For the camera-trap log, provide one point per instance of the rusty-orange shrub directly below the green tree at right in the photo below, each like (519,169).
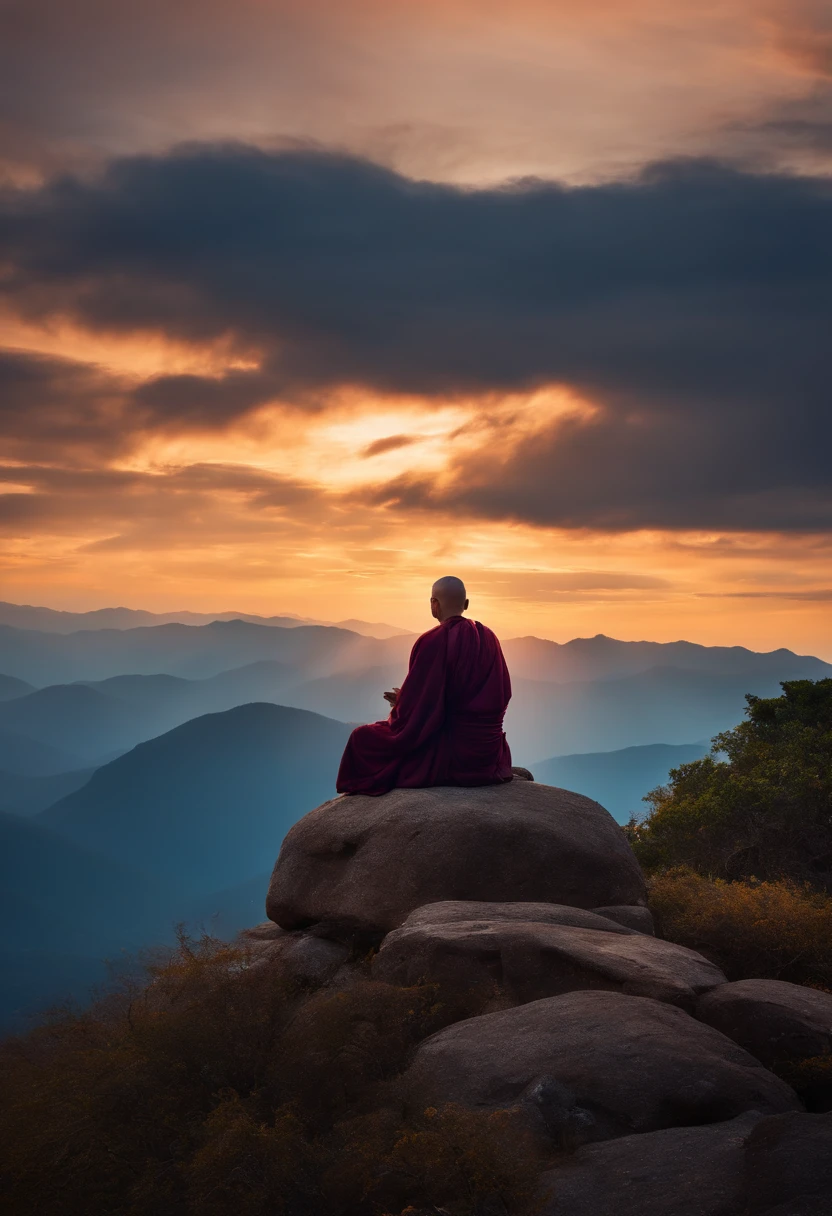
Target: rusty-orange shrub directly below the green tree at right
(752,931)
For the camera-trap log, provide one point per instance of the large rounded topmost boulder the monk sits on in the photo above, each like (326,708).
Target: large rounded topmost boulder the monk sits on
(361,865)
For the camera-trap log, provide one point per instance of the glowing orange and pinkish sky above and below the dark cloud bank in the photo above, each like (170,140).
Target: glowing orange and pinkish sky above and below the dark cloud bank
(308,506)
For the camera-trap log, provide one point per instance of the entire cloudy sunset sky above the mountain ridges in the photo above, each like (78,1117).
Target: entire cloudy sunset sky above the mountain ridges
(303,306)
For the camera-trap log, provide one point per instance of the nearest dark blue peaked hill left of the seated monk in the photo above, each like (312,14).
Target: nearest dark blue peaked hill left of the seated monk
(206,806)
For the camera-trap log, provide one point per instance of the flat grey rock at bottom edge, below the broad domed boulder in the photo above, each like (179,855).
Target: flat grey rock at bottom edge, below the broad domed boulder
(685,1172)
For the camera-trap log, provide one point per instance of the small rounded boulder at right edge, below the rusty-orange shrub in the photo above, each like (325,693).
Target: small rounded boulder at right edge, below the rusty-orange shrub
(772,1020)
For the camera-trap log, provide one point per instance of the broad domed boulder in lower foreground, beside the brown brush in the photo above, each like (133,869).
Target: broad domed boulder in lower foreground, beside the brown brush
(631,1065)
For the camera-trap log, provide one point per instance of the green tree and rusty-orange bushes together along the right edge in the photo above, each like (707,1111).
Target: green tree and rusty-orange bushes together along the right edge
(739,845)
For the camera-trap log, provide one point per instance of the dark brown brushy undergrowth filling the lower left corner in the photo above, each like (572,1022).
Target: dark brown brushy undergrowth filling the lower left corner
(216,1088)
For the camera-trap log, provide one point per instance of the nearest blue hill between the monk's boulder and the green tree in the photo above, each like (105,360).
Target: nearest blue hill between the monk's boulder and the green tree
(619,780)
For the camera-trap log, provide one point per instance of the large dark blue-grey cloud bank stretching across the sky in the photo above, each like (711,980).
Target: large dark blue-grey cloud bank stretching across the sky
(690,305)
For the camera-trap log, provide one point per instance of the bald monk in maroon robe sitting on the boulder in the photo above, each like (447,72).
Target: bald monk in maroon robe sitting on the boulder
(446,723)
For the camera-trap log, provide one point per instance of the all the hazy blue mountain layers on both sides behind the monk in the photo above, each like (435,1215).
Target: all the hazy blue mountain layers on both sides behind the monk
(154,767)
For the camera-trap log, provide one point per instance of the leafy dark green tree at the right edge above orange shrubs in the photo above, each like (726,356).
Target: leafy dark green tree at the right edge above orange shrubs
(761,804)
